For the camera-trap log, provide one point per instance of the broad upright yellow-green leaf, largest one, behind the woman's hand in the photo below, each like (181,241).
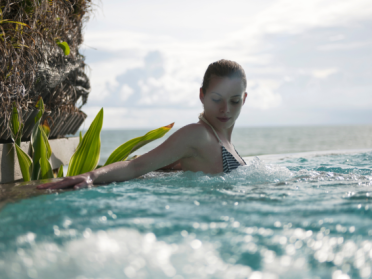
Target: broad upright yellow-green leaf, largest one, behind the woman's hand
(87,153)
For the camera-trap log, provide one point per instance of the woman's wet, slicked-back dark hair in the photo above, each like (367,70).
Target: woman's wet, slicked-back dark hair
(223,68)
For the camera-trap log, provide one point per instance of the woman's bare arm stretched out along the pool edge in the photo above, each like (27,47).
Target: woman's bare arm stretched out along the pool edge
(177,146)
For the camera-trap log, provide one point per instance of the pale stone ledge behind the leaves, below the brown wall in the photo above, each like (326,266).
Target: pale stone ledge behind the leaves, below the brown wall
(62,150)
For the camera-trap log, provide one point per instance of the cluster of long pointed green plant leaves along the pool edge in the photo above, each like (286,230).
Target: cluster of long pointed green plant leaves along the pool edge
(87,154)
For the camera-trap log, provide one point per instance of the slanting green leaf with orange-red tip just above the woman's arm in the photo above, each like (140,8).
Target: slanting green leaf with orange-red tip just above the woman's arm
(123,151)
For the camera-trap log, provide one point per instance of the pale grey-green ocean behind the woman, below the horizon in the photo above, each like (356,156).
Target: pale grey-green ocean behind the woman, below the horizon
(260,141)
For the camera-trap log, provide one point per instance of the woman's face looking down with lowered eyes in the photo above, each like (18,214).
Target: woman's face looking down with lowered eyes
(223,100)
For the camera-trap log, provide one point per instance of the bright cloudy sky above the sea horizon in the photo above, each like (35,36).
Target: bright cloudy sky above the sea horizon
(307,62)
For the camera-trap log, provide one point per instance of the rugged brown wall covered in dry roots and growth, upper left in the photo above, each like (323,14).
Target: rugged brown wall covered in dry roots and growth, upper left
(33,63)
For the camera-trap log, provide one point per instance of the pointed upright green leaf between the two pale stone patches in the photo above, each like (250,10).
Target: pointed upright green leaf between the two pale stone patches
(41,167)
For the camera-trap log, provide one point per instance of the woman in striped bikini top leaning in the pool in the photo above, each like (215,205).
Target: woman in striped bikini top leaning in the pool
(204,146)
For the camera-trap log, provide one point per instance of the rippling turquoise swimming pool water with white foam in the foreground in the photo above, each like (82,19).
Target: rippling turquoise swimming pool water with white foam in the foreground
(297,217)
